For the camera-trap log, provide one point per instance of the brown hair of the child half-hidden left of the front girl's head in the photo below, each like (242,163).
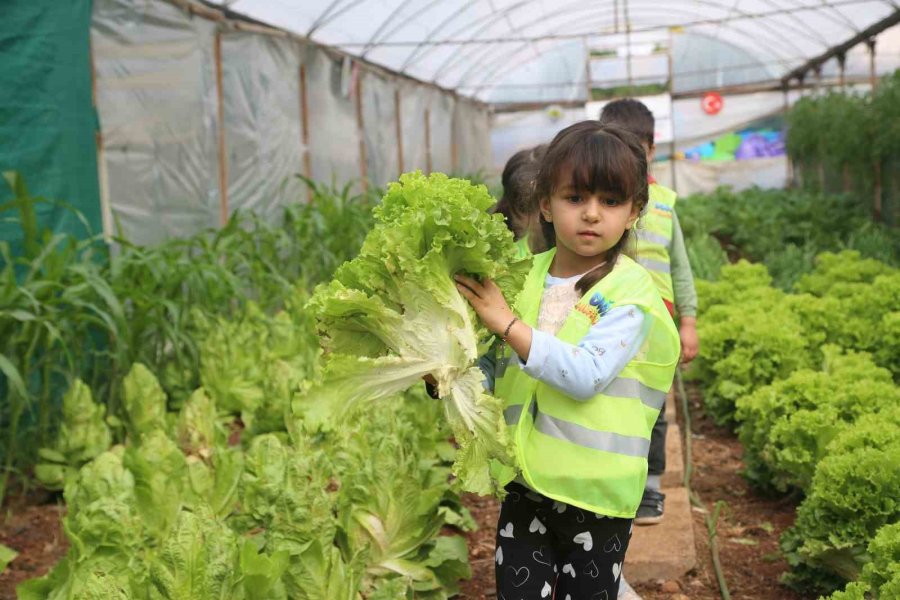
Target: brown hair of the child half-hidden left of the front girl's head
(519,177)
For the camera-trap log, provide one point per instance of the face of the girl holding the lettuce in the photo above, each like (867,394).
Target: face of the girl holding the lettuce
(587,224)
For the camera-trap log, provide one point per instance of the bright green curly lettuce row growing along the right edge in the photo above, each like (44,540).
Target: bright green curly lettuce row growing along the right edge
(808,378)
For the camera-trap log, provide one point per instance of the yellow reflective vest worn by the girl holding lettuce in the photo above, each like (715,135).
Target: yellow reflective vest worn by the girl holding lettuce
(591,454)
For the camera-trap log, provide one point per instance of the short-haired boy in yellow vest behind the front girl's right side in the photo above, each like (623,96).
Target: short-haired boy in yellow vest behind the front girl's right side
(660,249)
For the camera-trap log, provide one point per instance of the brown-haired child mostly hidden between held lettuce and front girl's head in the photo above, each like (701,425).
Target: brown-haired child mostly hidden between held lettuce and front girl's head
(518,205)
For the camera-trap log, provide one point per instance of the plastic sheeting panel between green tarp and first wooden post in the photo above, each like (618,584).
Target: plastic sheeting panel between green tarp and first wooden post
(156,97)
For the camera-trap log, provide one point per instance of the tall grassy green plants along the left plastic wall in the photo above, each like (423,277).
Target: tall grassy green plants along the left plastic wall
(68,311)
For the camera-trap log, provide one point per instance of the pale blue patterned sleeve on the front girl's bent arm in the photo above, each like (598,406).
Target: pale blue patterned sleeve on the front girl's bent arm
(584,370)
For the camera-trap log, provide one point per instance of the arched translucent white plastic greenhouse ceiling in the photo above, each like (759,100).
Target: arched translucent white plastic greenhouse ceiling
(481,47)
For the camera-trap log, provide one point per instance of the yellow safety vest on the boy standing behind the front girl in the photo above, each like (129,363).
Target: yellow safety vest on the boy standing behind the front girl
(654,237)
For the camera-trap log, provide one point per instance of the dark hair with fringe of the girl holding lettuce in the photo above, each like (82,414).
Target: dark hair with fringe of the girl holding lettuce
(594,158)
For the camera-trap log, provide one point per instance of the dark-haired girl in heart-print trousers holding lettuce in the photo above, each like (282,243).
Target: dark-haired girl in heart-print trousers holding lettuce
(594,354)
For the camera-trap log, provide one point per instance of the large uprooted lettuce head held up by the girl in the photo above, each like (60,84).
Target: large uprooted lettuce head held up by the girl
(393,315)
